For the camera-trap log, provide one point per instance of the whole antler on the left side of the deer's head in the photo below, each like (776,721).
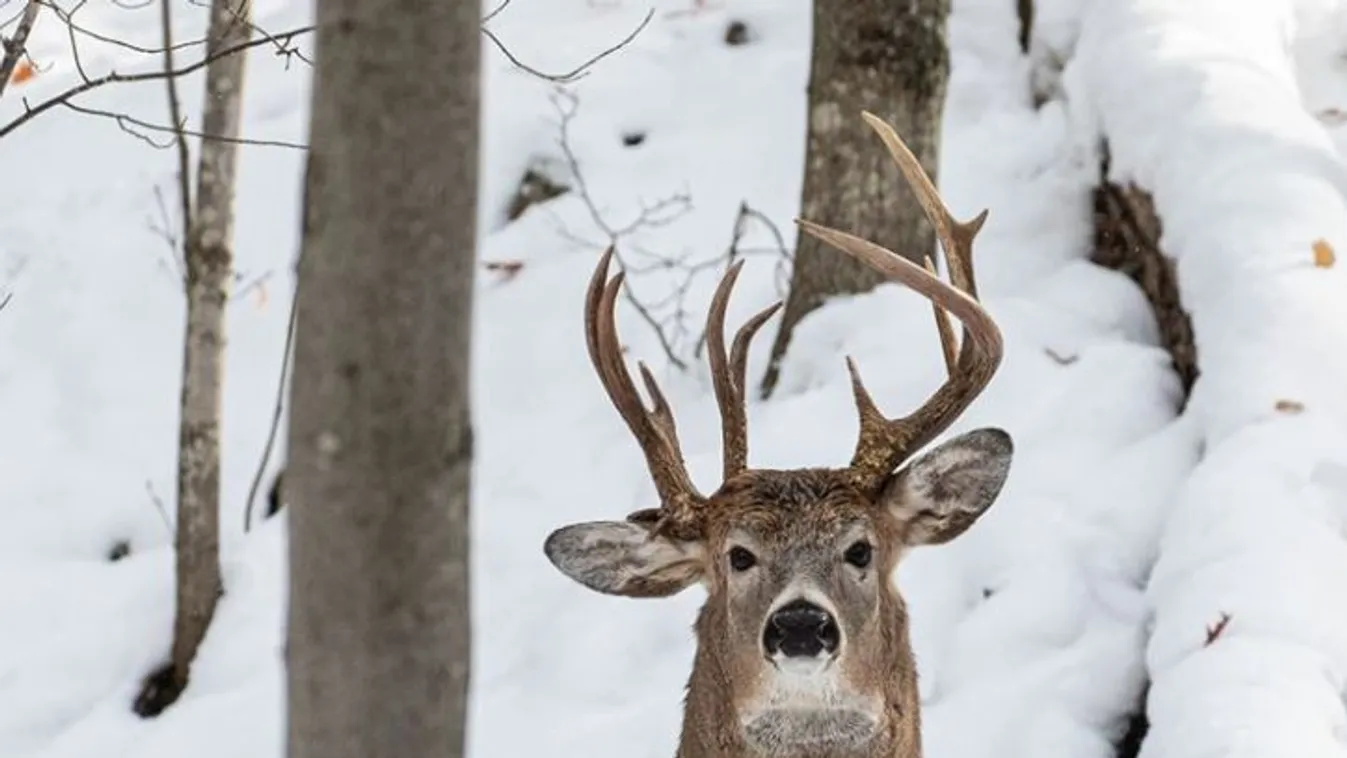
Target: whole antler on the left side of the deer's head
(654,429)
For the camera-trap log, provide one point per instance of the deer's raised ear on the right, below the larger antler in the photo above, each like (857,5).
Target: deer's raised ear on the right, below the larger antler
(937,497)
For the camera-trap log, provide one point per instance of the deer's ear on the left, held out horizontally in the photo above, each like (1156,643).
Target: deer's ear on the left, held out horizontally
(622,558)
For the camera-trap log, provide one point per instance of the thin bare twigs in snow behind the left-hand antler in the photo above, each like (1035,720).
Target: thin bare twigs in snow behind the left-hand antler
(673,328)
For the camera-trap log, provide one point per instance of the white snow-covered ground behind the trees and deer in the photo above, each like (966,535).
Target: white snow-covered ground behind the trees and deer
(1109,555)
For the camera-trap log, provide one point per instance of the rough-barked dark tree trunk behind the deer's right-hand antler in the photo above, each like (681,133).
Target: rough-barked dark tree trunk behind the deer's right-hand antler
(888,57)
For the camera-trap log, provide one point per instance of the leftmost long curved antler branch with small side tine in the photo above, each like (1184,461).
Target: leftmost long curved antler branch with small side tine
(654,430)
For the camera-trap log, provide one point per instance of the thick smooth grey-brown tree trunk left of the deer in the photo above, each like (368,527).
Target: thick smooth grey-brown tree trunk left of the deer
(381,436)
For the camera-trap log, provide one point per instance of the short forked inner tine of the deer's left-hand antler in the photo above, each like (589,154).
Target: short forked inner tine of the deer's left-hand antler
(728,372)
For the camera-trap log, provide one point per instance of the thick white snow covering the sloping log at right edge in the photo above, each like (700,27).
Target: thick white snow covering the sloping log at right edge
(1248,181)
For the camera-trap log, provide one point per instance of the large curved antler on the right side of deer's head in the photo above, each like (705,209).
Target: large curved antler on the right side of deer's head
(884,444)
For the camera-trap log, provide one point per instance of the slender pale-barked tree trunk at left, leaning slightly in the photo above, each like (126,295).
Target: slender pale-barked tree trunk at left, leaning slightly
(209,262)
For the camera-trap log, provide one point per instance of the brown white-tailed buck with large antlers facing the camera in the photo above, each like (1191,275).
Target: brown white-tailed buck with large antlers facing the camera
(802,647)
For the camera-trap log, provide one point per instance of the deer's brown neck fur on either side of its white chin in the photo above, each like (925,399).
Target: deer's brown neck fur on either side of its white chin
(711,722)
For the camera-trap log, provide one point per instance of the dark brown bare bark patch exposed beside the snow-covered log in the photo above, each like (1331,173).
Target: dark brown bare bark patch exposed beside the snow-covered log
(1128,240)
